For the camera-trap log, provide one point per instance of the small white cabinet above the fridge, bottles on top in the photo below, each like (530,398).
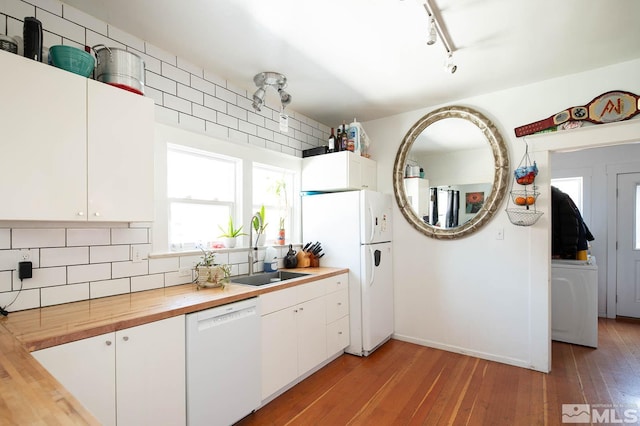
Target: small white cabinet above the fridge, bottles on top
(338,171)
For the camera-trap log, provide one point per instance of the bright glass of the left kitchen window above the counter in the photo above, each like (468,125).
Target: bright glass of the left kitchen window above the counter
(202,192)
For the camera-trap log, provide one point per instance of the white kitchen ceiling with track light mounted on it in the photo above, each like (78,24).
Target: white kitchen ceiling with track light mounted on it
(369,58)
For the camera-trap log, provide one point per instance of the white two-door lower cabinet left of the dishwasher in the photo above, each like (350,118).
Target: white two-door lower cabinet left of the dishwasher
(134,376)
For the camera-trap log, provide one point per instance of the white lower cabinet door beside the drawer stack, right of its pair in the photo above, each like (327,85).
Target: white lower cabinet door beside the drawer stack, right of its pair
(312,334)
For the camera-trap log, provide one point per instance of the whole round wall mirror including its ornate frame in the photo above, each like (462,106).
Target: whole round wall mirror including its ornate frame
(451,172)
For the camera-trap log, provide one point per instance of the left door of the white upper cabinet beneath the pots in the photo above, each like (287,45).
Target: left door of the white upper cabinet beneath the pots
(43,161)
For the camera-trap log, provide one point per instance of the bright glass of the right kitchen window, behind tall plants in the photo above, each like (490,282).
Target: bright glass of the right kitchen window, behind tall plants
(273,187)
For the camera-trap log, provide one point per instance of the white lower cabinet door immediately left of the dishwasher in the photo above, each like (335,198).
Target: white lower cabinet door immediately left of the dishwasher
(150,373)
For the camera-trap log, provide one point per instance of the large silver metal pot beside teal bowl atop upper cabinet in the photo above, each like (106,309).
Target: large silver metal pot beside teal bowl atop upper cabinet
(119,68)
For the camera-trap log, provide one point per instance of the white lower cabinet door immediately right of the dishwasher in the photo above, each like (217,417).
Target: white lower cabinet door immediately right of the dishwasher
(279,350)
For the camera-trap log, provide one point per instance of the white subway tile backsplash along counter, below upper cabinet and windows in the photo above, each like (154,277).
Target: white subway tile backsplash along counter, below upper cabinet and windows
(110,261)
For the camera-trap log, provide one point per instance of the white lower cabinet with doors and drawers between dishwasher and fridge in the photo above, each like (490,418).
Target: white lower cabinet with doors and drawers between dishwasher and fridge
(297,335)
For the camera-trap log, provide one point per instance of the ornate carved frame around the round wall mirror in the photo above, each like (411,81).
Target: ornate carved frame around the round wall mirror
(499,188)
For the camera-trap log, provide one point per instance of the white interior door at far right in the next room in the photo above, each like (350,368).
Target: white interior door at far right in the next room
(628,245)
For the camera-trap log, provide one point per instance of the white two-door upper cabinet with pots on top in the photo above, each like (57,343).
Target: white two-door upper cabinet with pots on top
(73,149)
